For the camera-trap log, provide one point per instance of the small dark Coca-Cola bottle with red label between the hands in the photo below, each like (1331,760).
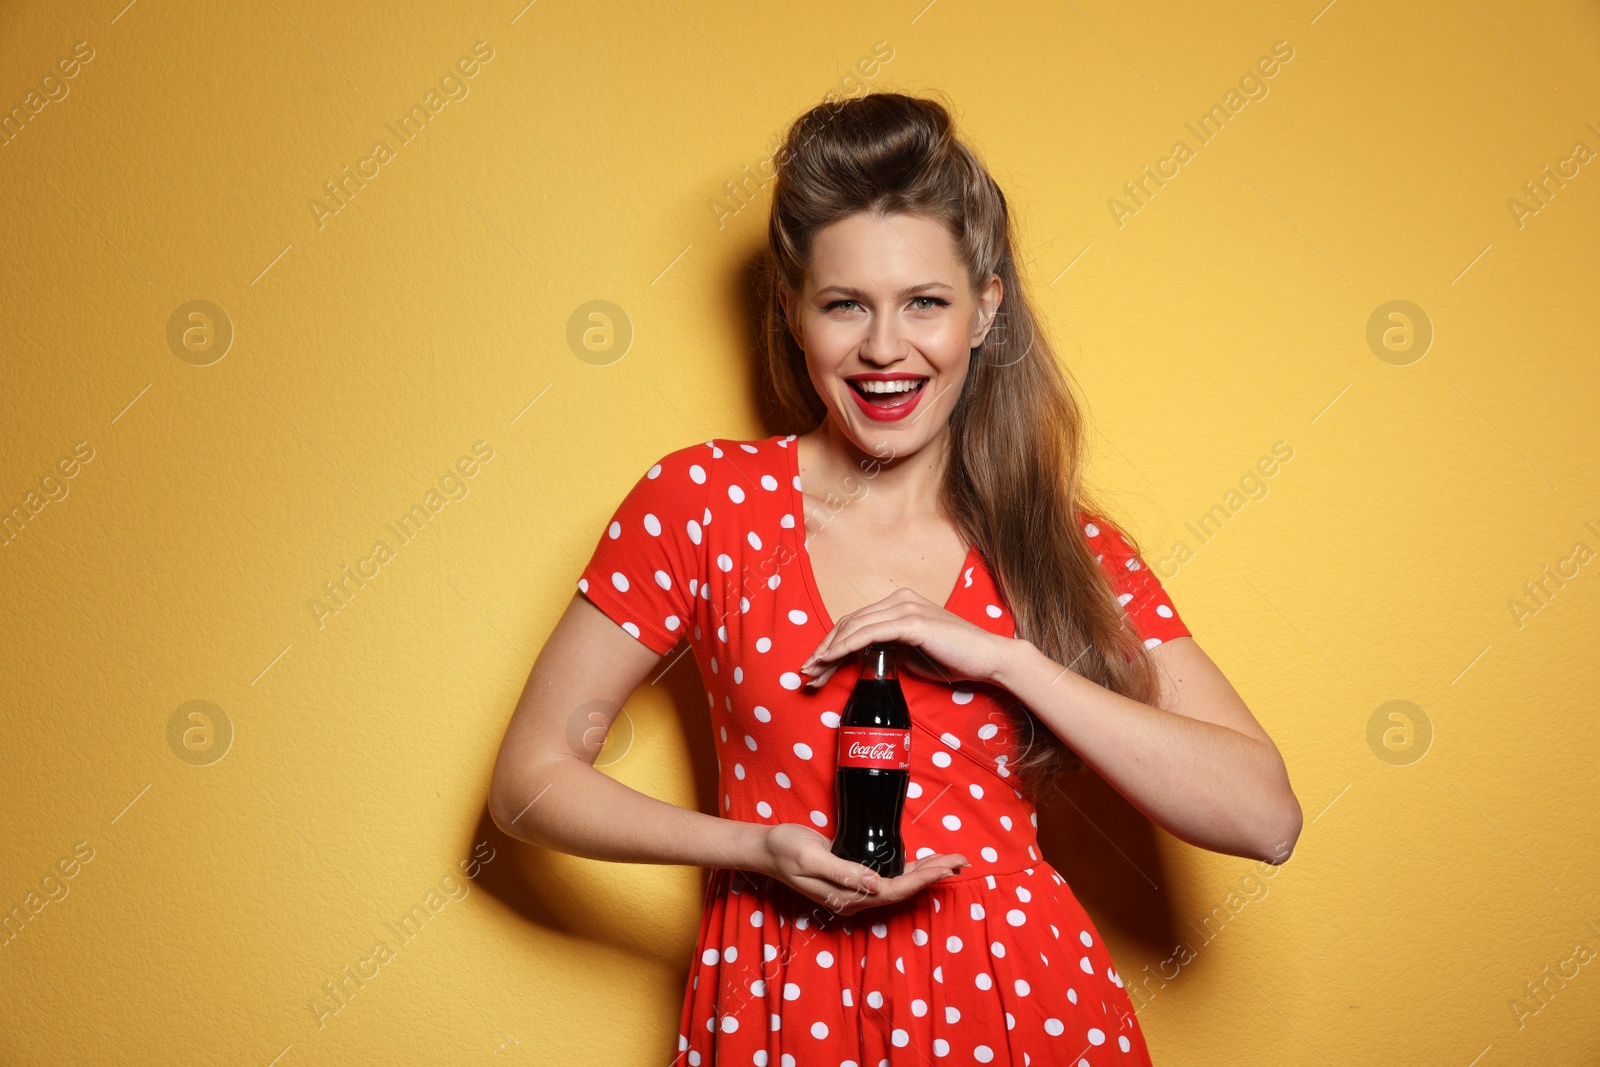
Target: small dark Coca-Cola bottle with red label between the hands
(874,765)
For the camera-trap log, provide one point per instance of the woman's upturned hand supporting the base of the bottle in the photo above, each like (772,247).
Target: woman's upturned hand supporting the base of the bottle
(804,860)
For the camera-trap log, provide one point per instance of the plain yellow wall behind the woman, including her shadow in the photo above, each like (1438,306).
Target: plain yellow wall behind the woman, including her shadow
(585,162)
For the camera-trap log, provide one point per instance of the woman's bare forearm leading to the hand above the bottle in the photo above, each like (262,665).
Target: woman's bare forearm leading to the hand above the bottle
(1206,785)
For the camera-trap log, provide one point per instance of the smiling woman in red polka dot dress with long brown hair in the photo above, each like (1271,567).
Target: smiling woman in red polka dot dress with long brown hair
(937,505)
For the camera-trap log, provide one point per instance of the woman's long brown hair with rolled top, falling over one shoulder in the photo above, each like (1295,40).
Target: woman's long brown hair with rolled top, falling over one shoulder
(1017,434)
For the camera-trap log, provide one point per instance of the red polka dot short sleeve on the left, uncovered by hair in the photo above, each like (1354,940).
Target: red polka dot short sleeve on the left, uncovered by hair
(644,570)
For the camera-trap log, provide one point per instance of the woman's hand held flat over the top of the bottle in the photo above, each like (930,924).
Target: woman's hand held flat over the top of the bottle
(951,649)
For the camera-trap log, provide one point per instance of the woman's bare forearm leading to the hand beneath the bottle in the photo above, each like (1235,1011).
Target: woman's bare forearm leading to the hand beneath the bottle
(566,804)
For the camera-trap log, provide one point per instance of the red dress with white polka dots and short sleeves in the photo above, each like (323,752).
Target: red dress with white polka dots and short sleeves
(996,965)
